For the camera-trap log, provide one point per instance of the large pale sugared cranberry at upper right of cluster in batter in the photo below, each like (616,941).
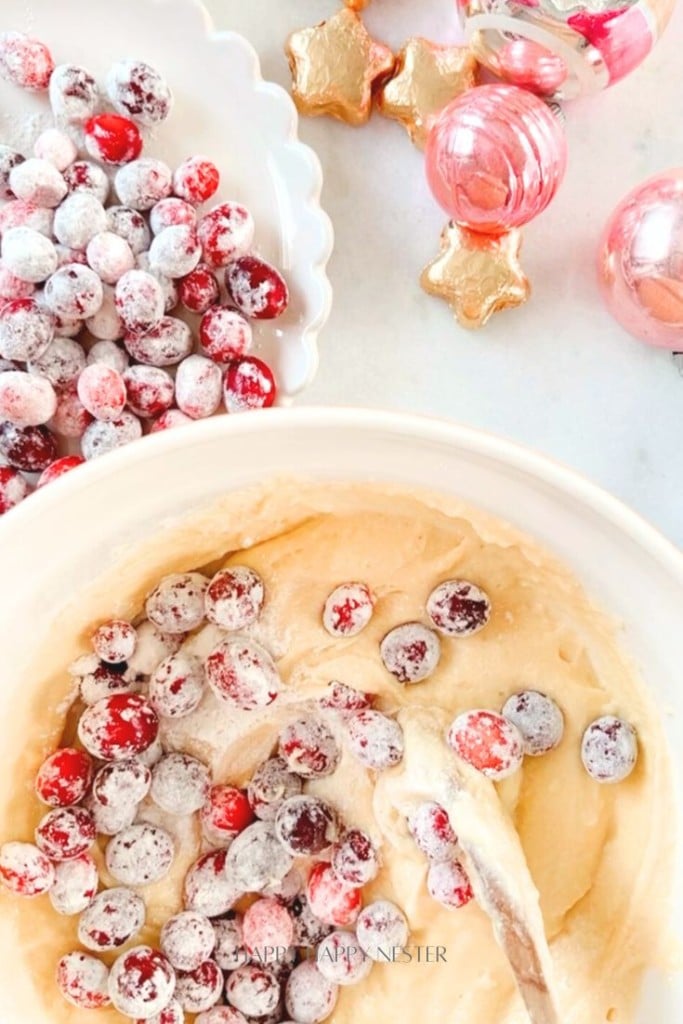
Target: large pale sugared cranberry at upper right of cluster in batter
(243,673)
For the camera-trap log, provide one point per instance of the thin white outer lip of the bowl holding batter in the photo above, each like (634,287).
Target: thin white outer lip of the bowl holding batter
(426,429)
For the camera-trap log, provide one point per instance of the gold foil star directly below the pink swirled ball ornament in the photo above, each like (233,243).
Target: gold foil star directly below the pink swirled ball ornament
(478,275)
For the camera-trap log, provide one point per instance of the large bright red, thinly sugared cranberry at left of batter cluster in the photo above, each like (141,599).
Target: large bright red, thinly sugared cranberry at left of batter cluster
(118,728)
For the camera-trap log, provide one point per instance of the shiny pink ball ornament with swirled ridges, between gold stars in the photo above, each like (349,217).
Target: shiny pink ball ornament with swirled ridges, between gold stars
(495,158)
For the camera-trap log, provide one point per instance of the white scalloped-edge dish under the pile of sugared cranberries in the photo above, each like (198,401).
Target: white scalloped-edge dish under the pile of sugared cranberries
(224,109)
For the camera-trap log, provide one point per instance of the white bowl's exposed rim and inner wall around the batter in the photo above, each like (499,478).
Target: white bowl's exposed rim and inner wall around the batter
(50,545)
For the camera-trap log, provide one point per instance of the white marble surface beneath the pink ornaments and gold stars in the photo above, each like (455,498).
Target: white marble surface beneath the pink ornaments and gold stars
(559,374)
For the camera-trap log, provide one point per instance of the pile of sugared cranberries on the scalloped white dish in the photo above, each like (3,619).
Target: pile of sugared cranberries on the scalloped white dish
(125,309)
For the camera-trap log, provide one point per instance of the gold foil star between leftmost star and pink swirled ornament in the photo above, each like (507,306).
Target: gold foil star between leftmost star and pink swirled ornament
(428,78)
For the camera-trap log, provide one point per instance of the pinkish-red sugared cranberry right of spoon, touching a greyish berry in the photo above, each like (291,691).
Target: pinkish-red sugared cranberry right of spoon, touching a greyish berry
(488,742)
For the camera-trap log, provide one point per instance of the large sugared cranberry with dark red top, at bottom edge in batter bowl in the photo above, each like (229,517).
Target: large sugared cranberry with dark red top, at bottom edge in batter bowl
(142,984)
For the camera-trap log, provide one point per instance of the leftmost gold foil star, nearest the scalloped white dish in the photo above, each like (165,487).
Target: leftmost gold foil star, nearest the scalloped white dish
(335,67)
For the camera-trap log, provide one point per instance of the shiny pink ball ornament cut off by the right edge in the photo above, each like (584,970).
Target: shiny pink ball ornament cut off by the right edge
(641,271)
